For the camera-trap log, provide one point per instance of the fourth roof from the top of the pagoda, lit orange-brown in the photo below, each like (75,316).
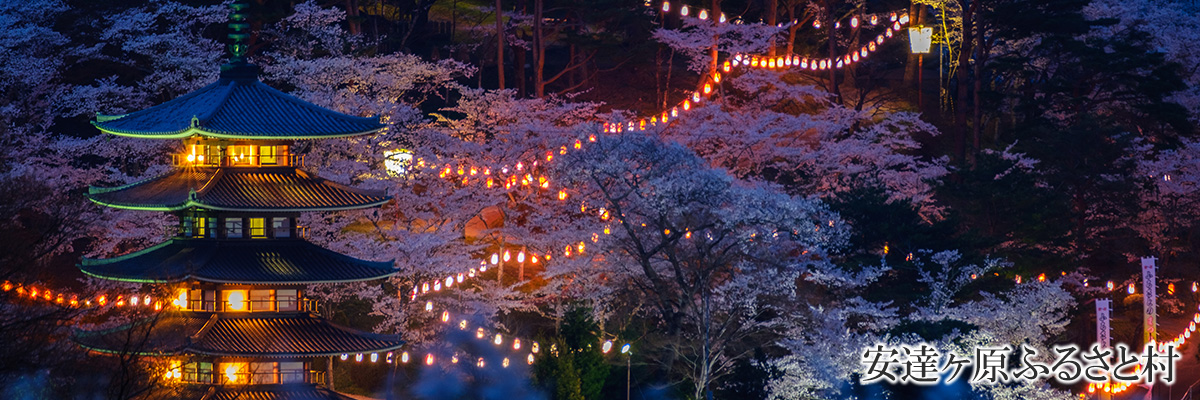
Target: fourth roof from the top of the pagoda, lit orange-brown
(238,335)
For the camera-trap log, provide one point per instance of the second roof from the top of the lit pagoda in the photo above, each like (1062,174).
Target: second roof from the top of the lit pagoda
(237,189)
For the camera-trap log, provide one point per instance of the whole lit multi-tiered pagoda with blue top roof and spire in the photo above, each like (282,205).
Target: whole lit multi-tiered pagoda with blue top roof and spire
(239,324)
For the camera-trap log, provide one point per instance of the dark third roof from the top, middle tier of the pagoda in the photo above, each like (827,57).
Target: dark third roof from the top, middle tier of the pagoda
(237,261)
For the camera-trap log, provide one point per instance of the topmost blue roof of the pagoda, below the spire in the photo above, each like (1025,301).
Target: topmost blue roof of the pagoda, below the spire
(238,106)
